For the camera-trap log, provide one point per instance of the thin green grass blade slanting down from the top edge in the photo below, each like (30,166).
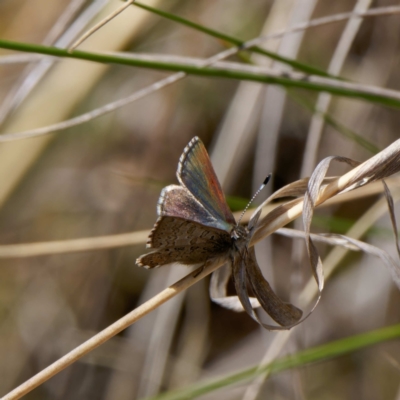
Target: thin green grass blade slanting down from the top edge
(235,41)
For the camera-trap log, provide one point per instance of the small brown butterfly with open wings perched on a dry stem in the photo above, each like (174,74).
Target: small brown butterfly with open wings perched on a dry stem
(192,226)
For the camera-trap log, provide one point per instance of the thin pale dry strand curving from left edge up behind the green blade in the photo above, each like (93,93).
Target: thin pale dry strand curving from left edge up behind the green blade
(180,75)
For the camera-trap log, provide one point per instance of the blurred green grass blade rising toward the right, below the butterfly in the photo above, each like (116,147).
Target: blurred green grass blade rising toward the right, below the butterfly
(302,358)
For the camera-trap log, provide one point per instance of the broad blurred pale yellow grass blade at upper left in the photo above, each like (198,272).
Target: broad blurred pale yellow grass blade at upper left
(17,158)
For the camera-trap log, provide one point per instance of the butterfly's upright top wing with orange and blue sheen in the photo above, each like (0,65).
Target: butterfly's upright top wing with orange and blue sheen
(196,173)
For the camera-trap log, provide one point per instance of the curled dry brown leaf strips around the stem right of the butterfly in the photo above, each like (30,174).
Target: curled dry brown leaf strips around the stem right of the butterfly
(310,192)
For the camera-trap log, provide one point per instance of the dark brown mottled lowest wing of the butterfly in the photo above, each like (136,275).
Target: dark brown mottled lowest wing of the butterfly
(187,242)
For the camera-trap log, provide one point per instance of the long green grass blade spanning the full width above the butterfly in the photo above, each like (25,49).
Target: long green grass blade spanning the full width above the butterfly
(392,99)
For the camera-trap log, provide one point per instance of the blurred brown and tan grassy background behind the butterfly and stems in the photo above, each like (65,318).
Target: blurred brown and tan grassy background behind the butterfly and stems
(104,177)
